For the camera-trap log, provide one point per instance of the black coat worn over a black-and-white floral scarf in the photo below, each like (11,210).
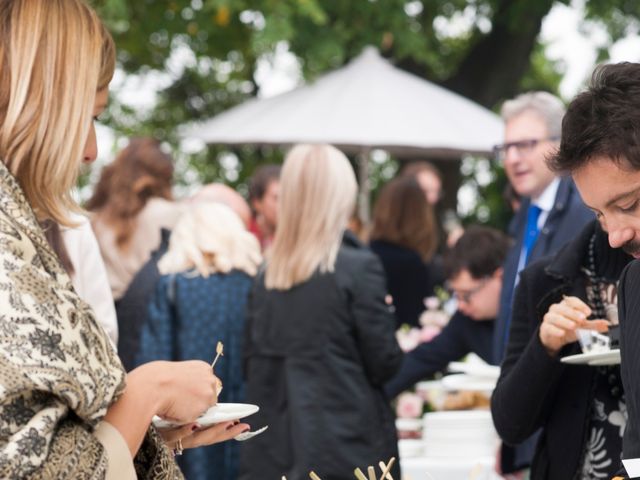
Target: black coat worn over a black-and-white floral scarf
(537,391)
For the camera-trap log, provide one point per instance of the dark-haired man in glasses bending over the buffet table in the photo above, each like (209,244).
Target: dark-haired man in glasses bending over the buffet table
(474,272)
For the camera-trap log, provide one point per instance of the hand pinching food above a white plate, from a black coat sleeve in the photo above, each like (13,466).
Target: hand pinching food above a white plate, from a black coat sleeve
(559,324)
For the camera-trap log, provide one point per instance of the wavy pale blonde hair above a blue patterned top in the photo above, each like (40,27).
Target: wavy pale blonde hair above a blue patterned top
(211,238)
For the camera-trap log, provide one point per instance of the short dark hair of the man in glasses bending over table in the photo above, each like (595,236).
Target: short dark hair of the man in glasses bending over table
(480,251)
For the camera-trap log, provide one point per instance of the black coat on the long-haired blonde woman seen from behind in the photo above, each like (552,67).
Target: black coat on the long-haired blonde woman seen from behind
(317,356)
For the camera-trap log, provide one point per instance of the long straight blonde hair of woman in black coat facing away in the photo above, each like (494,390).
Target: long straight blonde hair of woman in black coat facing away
(317,195)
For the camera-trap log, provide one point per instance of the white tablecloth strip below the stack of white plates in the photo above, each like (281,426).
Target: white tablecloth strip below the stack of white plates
(420,468)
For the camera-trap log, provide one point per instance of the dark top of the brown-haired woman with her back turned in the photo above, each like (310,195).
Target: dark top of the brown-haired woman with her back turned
(410,280)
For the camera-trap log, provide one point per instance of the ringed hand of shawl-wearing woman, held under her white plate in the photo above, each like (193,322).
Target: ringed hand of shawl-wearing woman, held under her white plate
(192,436)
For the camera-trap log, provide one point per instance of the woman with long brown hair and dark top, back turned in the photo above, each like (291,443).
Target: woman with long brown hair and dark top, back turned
(405,238)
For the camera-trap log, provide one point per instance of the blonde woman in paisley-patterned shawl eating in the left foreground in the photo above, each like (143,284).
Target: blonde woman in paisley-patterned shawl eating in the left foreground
(67,408)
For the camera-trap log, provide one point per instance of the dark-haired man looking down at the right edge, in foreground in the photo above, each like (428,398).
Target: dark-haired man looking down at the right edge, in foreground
(600,148)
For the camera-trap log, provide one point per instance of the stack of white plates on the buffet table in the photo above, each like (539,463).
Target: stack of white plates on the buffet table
(459,434)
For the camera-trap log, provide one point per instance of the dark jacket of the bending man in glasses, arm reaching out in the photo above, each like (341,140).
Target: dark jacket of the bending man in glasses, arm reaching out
(461,336)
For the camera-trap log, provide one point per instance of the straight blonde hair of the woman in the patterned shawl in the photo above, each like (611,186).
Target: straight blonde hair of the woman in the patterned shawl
(55,55)
